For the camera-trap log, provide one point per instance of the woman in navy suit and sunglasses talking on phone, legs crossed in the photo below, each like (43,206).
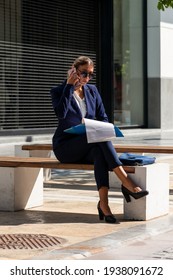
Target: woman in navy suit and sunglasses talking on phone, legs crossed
(73,100)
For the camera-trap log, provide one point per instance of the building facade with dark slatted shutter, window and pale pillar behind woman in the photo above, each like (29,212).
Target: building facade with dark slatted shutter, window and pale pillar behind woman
(130,42)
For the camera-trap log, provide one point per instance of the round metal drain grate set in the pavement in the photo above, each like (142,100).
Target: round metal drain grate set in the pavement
(28,241)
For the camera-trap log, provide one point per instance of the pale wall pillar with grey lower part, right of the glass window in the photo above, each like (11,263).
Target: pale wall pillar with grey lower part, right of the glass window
(160,61)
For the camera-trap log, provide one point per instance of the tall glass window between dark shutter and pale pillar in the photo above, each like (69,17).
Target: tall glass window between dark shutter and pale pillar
(128,63)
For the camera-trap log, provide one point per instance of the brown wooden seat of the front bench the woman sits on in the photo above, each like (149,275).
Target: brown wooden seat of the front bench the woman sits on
(48,163)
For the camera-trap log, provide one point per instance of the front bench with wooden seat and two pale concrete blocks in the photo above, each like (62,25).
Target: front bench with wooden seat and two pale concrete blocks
(21,185)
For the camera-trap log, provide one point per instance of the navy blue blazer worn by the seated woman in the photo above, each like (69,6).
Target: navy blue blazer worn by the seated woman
(68,112)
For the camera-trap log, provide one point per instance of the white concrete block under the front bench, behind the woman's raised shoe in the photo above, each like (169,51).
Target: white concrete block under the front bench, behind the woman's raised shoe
(154,178)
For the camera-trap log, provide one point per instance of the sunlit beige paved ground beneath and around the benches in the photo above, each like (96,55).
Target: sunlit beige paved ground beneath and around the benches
(69,213)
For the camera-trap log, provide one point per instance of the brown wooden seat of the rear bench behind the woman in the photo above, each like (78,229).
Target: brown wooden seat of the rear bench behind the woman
(119,148)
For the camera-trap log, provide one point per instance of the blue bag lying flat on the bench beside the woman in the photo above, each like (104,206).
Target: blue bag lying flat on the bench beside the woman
(134,159)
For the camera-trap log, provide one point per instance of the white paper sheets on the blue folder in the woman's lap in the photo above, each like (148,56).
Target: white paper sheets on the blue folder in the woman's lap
(98,131)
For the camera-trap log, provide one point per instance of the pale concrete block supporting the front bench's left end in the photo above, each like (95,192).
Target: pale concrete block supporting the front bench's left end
(20,188)
